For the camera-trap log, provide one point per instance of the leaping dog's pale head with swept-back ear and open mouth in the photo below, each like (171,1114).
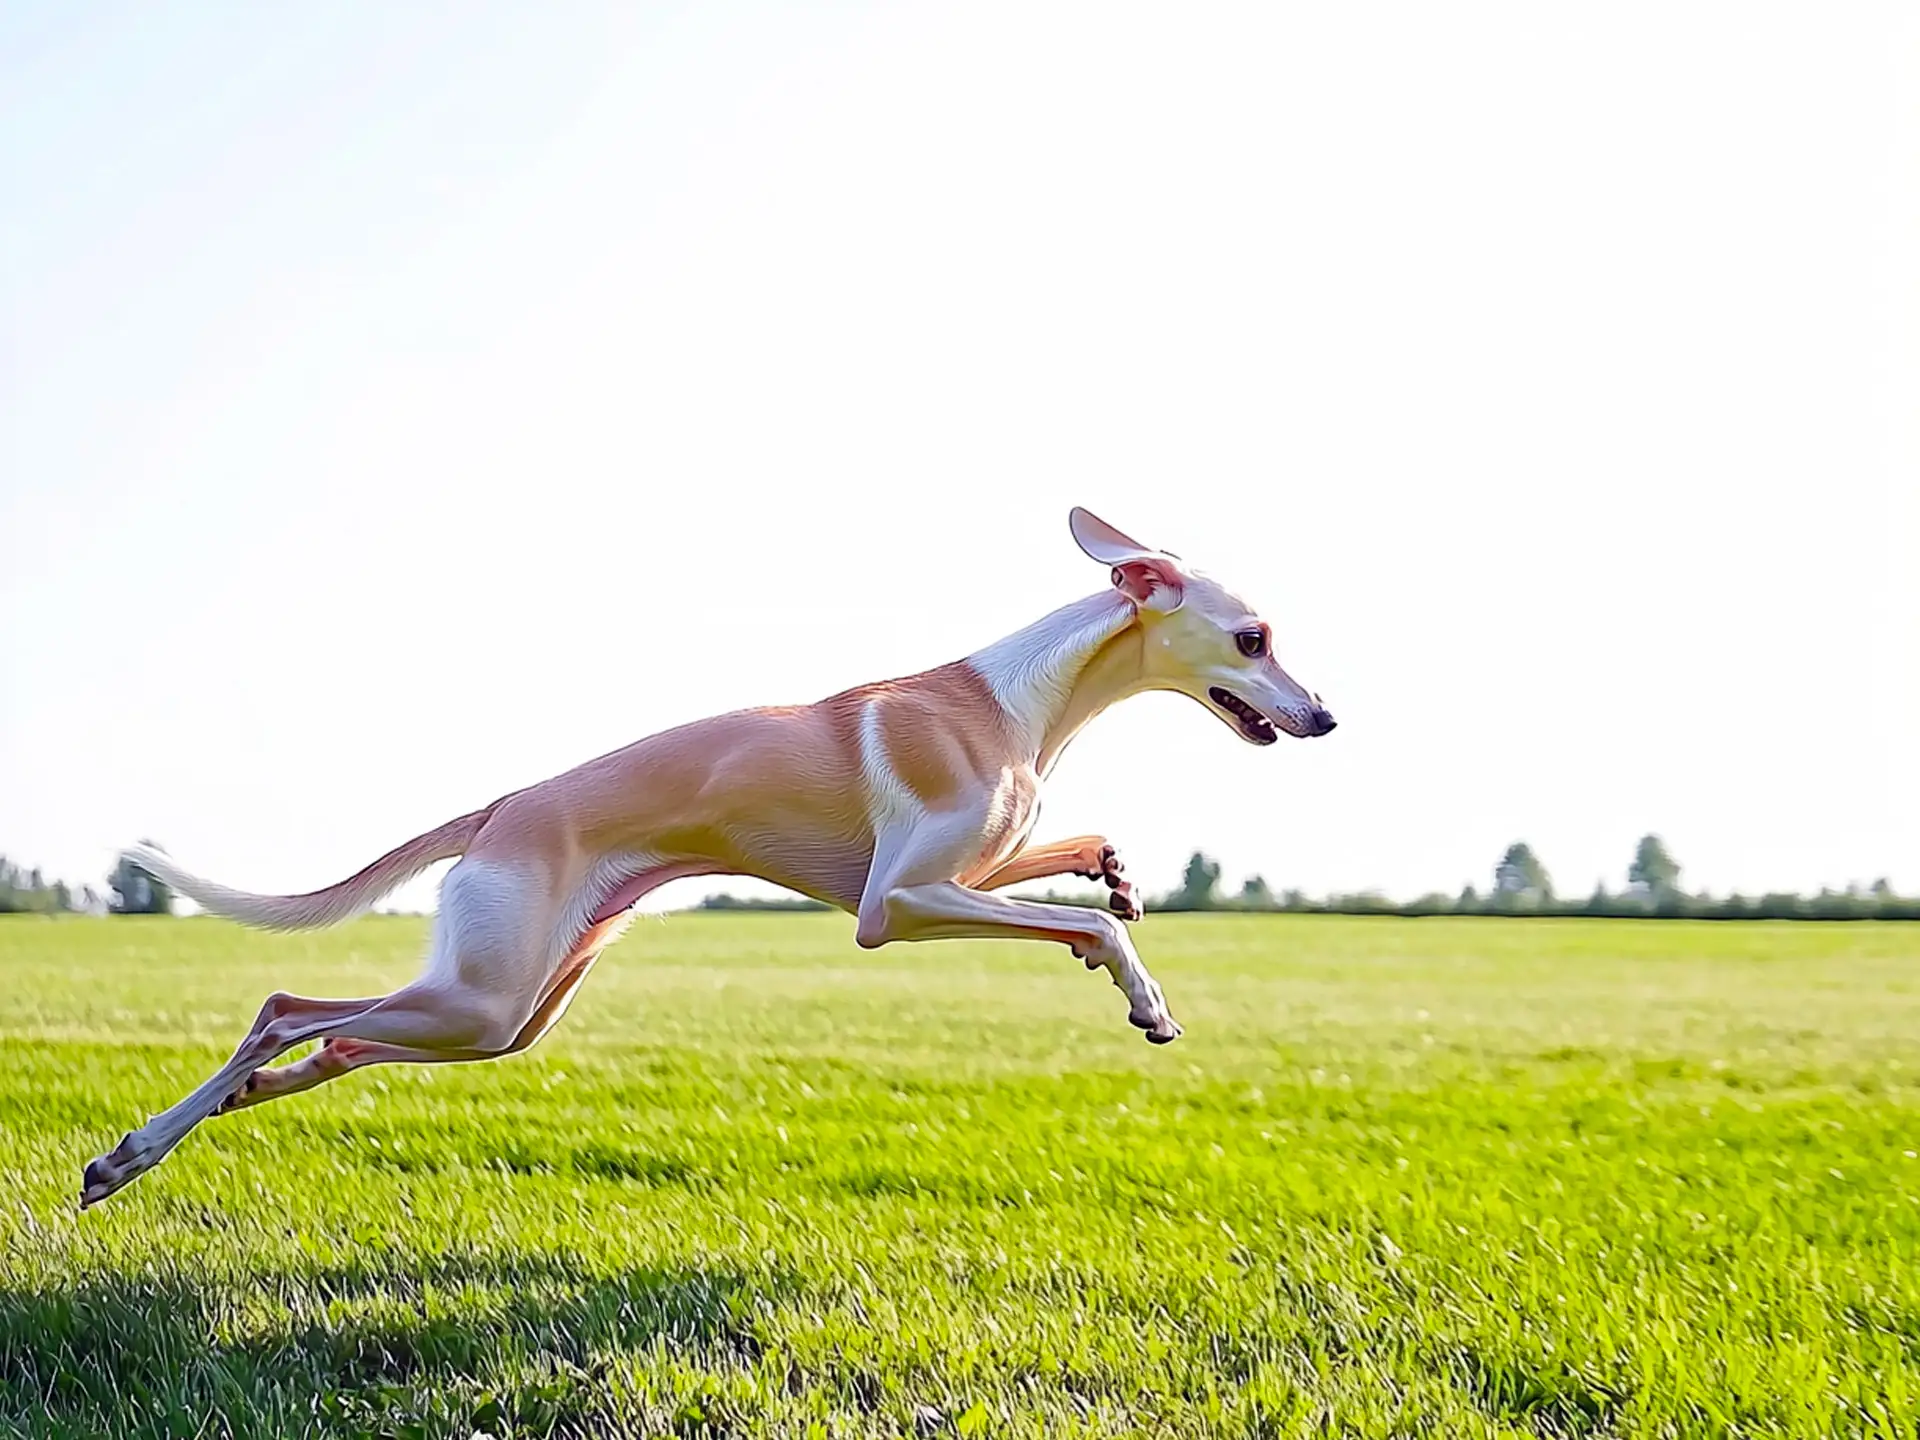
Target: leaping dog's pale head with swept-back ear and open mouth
(1203,640)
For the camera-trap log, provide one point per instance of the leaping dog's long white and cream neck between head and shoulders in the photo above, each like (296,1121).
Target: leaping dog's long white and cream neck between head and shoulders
(1065,669)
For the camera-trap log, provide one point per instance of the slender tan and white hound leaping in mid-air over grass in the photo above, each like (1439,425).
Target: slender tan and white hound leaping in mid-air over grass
(905,804)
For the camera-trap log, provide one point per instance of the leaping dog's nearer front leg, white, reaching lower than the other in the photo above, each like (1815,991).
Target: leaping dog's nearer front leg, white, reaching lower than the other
(951,911)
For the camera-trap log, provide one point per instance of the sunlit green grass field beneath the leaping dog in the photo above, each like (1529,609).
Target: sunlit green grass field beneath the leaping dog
(1401,1178)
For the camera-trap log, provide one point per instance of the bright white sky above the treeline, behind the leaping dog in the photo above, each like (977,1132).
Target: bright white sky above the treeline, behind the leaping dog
(402,404)
